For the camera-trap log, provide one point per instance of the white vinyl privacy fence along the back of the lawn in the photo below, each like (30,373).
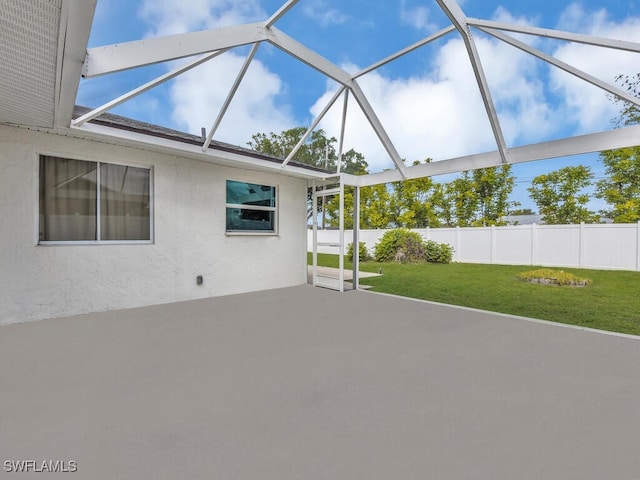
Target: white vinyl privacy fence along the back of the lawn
(597,246)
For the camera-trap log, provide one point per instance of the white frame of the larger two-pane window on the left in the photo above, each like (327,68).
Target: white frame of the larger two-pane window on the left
(151,239)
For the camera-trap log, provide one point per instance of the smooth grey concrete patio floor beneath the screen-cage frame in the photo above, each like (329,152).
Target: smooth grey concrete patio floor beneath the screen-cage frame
(306,383)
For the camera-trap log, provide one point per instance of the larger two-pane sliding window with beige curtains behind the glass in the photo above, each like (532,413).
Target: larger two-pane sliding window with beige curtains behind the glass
(84,201)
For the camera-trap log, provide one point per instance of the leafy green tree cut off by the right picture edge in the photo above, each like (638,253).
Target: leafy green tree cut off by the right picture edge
(621,188)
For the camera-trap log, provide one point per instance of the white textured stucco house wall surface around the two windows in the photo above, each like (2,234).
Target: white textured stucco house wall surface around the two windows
(188,234)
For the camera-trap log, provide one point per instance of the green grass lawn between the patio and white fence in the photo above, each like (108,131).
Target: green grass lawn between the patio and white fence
(611,302)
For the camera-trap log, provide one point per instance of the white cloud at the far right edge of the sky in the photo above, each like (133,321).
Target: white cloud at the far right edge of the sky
(589,106)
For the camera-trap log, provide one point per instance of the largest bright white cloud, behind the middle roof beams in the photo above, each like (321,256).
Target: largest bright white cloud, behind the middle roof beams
(441,115)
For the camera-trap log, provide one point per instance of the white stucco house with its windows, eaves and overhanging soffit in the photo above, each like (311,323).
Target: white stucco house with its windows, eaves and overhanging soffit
(119,213)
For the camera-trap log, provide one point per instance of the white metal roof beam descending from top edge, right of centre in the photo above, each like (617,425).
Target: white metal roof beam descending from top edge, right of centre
(457,17)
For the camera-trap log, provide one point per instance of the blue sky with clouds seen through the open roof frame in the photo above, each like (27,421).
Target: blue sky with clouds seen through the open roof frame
(427,101)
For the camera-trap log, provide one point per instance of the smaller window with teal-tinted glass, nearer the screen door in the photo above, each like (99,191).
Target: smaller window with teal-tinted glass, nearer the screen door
(251,207)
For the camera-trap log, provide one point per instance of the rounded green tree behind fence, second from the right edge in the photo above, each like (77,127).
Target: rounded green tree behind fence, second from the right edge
(560,195)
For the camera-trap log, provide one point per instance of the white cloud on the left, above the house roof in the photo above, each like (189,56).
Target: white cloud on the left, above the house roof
(197,96)
